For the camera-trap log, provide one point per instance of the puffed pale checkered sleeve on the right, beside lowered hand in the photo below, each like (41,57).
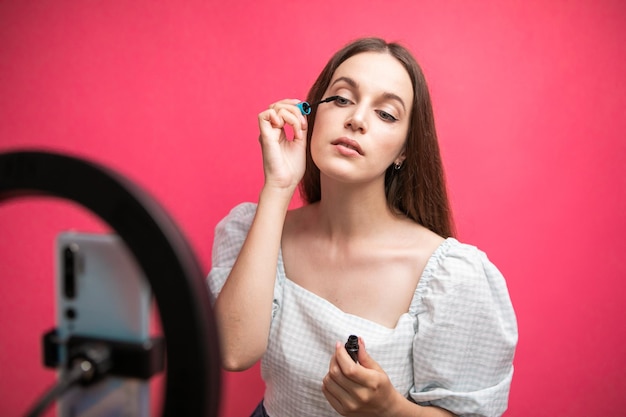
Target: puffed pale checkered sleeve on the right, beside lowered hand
(467,333)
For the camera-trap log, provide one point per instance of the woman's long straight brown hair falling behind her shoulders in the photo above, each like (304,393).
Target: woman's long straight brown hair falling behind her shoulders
(418,189)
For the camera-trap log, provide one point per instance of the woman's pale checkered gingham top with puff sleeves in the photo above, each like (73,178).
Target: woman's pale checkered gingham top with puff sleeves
(454,347)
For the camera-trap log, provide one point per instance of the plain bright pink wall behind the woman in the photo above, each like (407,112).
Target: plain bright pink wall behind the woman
(530,102)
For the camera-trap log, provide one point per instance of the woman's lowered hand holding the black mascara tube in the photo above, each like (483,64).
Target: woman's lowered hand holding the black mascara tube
(358,389)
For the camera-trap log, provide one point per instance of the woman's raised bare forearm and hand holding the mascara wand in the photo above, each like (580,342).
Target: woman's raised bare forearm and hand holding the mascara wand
(244,306)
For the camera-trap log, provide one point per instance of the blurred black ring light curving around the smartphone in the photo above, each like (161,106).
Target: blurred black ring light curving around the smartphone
(193,365)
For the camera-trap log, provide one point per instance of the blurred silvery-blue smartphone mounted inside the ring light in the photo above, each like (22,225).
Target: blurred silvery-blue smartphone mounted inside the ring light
(102,293)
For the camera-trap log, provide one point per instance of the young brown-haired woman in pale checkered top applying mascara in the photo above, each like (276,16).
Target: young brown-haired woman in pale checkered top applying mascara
(371,253)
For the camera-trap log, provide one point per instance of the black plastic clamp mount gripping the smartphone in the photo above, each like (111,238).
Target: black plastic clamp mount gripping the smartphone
(129,360)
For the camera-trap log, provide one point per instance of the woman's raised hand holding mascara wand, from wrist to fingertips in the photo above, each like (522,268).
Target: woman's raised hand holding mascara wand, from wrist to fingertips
(284,159)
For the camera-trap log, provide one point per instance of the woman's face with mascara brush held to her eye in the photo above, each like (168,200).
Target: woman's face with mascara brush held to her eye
(359,135)
